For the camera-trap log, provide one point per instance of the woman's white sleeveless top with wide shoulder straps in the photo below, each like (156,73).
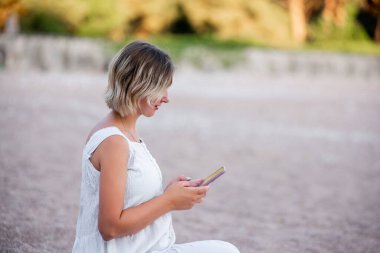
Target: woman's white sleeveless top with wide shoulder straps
(144,182)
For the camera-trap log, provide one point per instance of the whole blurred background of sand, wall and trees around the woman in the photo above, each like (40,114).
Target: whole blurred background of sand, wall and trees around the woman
(284,93)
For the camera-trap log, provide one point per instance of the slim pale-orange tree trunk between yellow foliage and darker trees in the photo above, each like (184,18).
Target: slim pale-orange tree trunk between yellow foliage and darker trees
(298,20)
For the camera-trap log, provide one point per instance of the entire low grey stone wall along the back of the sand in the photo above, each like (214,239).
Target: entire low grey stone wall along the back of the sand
(49,53)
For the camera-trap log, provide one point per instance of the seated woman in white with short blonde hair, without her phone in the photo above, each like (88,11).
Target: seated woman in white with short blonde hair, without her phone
(123,207)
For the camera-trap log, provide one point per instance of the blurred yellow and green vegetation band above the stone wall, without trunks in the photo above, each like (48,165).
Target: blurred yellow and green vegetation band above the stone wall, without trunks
(222,27)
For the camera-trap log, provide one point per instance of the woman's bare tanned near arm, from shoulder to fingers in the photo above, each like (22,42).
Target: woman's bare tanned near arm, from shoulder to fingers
(113,221)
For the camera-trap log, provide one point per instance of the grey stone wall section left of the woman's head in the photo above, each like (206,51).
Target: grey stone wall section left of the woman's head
(49,53)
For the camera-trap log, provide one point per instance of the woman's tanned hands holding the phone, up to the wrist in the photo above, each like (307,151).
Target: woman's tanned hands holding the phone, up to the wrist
(183,194)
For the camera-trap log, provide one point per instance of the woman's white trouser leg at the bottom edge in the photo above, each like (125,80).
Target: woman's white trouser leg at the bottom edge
(209,246)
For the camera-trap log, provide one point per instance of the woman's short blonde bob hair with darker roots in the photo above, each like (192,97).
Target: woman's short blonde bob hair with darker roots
(138,71)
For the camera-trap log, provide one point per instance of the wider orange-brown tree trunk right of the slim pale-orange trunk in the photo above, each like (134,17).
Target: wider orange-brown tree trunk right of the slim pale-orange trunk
(335,11)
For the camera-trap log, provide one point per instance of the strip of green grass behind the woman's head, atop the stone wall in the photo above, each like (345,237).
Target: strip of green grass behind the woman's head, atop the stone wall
(206,52)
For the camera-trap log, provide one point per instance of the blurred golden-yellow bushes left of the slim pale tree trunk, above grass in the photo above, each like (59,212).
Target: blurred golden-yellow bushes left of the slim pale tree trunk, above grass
(116,19)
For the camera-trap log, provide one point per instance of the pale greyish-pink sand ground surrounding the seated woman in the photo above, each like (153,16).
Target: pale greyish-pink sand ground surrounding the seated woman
(302,153)
